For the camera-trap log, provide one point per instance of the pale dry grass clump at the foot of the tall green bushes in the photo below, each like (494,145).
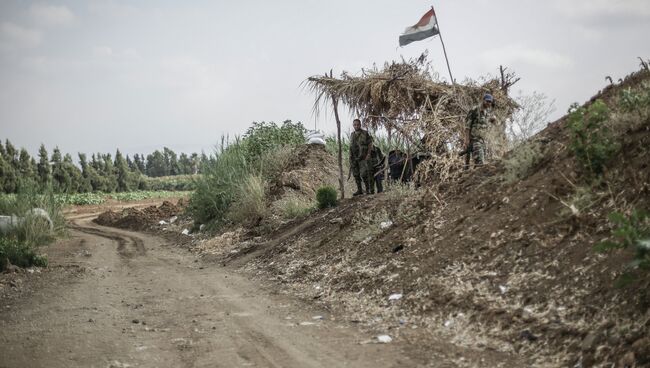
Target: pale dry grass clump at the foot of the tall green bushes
(249,206)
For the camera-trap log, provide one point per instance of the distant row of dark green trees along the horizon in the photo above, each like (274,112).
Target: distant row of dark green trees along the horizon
(98,173)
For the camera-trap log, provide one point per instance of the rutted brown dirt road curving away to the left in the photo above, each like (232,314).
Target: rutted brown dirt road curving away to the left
(143,303)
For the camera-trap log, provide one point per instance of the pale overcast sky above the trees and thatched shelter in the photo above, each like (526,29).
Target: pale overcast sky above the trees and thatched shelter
(96,75)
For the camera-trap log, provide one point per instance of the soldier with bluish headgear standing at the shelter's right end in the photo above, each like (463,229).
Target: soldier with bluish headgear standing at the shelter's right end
(478,120)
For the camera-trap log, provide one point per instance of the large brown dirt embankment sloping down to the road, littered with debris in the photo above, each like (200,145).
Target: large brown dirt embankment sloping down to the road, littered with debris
(490,264)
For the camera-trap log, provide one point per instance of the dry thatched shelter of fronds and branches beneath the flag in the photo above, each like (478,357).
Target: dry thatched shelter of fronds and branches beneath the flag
(404,98)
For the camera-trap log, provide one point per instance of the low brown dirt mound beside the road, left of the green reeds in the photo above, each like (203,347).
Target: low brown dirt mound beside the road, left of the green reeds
(140,219)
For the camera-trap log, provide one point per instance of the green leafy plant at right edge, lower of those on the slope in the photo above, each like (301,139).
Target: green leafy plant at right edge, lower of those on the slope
(630,231)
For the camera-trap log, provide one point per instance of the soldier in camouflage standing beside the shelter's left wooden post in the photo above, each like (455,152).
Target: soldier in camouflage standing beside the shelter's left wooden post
(361,162)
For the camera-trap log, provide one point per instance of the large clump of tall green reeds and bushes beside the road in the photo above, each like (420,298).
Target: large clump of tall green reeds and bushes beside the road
(233,184)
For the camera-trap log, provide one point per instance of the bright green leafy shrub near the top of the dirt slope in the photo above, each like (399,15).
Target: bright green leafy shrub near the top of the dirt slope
(591,139)
